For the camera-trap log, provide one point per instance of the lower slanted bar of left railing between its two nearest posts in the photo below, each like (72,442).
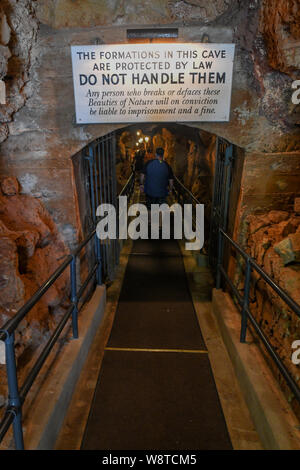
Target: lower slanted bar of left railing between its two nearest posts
(44,354)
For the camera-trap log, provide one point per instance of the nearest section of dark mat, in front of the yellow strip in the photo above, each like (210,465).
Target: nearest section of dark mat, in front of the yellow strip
(159,401)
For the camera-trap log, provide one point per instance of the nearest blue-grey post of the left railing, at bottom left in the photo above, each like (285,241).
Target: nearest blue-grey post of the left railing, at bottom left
(13,391)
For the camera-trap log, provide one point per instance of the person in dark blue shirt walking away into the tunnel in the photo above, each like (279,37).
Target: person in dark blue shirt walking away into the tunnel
(156,179)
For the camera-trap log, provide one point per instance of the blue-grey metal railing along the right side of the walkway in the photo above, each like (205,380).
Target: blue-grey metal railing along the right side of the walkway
(184,195)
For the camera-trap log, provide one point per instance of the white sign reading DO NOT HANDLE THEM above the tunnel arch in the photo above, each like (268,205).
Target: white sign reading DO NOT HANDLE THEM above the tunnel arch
(152,82)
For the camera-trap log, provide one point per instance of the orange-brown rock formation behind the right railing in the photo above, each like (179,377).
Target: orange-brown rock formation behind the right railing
(273,240)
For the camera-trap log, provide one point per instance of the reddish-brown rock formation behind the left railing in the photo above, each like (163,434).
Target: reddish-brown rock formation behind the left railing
(30,251)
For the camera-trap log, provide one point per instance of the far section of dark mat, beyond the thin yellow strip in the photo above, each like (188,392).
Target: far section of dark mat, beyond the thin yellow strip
(155,308)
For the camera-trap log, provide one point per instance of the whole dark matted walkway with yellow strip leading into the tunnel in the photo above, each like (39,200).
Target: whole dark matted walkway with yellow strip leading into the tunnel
(155,388)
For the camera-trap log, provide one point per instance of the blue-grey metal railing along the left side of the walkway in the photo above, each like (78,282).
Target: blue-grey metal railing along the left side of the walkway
(16,394)
